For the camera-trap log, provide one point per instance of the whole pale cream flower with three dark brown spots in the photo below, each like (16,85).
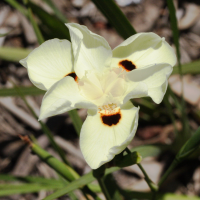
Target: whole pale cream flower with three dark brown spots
(86,73)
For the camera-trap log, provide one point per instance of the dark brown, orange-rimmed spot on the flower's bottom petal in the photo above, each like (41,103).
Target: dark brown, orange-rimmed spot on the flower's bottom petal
(111,119)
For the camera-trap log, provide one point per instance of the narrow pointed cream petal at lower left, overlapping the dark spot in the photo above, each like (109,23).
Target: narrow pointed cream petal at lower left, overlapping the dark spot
(61,97)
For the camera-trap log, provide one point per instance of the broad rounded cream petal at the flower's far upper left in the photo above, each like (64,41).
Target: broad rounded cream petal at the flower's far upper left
(49,63)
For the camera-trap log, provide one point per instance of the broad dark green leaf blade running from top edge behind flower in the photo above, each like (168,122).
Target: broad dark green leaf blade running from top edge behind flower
(116,17)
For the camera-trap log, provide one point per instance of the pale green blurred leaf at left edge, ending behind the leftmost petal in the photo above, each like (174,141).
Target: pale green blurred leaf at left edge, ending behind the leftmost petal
(13,54)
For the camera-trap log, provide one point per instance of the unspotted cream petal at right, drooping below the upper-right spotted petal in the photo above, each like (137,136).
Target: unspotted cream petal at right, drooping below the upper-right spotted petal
(155,77)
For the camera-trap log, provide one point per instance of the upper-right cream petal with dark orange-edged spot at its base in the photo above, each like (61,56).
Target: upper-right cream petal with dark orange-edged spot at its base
(141,50)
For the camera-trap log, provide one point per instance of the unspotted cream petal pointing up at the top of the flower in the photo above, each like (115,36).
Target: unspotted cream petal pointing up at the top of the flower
(91,51)
